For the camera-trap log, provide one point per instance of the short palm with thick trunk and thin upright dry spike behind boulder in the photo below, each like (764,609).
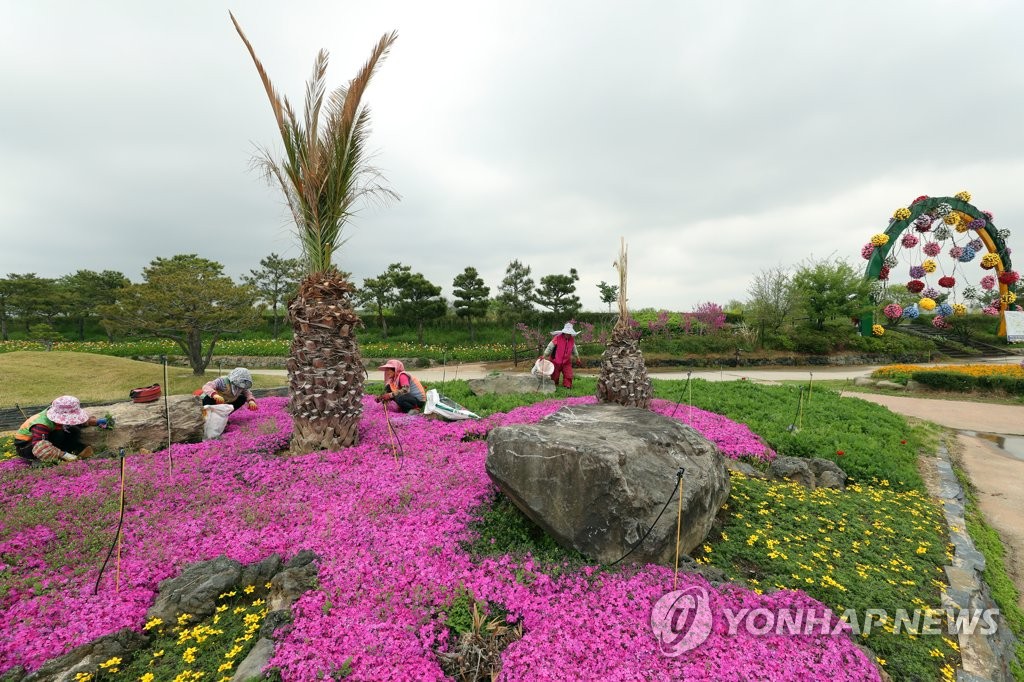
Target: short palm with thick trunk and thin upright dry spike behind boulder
(624,376)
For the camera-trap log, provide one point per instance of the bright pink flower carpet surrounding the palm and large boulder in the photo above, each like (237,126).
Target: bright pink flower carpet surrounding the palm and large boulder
(391,535)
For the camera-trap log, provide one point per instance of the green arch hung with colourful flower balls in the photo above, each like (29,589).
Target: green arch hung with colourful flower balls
(935,224)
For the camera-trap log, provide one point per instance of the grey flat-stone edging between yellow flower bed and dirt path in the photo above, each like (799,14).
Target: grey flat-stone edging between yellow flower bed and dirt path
(984,657)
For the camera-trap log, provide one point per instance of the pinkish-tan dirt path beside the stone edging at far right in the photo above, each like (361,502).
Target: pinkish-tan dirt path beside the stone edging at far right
(998,478)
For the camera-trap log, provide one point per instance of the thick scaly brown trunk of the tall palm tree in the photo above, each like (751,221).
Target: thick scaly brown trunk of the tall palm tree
(325,370)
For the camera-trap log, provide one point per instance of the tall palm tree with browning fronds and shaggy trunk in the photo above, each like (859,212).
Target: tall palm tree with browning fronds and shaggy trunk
(324,174)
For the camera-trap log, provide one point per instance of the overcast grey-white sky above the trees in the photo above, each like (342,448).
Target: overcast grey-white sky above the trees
(719,139)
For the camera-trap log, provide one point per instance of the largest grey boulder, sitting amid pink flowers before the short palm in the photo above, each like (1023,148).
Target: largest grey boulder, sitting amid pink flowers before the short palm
(596,478)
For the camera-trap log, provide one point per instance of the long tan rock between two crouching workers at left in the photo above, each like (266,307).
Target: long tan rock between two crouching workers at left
(141,427)
